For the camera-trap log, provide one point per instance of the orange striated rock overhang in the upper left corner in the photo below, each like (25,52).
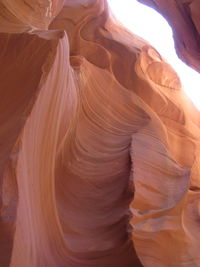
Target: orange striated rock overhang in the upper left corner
(27,15)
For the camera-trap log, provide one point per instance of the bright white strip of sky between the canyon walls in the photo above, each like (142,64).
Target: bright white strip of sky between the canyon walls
(151,26)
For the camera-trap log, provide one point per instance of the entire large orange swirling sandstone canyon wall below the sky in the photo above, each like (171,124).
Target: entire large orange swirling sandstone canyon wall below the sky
(100,152)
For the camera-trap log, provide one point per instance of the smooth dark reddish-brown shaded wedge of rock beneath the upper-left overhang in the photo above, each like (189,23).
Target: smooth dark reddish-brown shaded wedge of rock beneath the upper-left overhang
(20,80)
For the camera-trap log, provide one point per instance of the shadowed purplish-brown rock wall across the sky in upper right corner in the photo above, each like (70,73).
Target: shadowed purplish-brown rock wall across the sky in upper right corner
(184,18)
